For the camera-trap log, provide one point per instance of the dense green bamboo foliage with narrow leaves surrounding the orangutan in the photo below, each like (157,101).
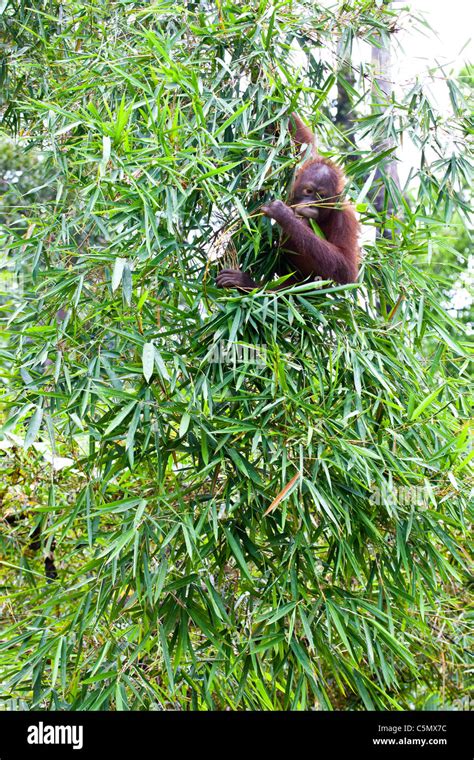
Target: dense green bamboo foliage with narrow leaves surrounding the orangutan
(161,127)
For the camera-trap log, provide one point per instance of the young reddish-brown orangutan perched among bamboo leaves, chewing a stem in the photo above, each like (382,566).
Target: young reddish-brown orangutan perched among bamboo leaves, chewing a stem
(315,194)
